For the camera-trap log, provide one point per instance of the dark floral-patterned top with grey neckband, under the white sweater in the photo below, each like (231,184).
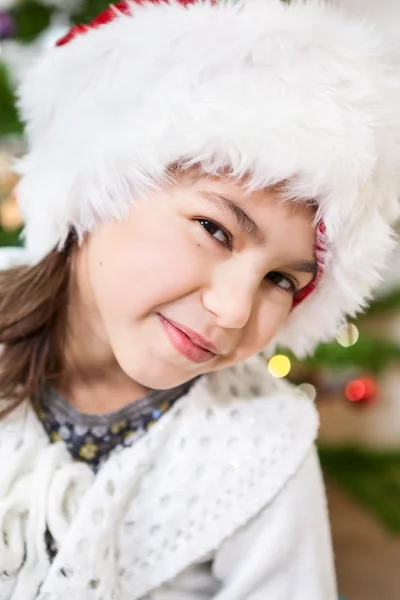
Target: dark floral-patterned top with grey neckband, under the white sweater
(91,438)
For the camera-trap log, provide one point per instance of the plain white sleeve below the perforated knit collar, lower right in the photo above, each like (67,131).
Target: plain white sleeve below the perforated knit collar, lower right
(287,541)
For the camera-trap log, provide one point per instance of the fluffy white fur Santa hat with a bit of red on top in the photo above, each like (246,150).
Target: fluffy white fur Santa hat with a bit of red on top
(300,93)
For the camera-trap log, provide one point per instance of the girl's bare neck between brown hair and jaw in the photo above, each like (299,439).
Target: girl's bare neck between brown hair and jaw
(93,382)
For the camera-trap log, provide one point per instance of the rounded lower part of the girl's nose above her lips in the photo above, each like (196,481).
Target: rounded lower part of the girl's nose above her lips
(231,297)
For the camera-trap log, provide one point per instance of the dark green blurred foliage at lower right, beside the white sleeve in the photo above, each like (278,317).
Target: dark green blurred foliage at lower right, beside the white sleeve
(372,477)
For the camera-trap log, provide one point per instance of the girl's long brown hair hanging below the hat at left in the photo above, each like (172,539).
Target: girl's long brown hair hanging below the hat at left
(33,311)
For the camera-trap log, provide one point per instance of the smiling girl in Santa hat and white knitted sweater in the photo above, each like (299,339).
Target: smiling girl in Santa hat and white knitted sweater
(203,181)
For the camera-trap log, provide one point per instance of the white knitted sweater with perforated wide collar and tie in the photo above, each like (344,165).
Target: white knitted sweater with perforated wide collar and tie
(222,499)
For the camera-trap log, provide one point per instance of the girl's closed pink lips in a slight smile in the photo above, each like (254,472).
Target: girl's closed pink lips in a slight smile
(189,343)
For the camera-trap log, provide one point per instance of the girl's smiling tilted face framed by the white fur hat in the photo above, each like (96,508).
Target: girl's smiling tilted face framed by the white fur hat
(200,276)
